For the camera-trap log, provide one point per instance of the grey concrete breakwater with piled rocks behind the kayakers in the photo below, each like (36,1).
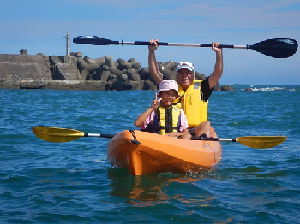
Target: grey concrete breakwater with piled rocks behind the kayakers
(75,72)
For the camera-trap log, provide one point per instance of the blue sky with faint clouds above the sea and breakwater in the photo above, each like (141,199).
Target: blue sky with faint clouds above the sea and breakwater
(39,26)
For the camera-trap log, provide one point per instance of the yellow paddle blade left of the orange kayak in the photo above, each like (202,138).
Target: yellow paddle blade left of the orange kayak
(53,134)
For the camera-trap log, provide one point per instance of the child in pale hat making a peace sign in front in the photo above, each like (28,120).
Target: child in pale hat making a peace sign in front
(163,117)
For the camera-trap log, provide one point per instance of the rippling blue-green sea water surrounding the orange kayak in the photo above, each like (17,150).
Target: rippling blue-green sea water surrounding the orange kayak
(72,182)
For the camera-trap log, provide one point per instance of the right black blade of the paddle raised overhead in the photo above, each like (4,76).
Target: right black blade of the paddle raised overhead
(276,48)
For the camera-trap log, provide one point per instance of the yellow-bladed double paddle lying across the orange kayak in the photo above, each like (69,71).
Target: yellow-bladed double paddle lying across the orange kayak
(54,134)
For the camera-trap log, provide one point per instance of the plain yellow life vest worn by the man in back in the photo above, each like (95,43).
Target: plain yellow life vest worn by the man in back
(191,102)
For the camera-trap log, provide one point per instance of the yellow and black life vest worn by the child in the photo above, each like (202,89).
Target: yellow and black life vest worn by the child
(168,119)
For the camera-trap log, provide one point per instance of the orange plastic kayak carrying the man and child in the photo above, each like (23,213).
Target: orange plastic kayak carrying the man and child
(160,153)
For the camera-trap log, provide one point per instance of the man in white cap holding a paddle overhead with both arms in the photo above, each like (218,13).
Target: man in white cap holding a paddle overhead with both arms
(194,93)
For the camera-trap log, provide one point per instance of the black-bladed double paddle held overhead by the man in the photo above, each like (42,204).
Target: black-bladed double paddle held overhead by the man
(276,47)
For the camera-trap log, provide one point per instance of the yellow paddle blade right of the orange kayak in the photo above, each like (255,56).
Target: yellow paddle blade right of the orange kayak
(261,142)
